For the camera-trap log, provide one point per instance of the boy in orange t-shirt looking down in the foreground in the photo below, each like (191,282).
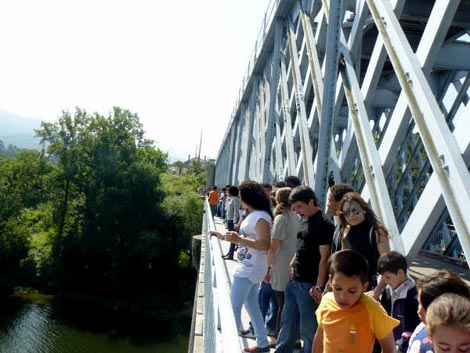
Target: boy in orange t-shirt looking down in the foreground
(348,320)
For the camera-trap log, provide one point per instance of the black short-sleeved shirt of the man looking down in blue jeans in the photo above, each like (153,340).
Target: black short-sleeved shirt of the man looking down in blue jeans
(315,231)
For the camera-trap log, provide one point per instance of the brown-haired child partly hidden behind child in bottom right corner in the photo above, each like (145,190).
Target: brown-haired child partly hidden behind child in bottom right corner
(429,288)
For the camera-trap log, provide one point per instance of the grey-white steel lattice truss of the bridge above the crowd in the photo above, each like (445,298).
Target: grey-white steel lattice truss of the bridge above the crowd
(373,92)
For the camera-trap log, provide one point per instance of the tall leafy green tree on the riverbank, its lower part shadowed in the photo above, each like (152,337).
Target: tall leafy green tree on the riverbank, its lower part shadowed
(114,243)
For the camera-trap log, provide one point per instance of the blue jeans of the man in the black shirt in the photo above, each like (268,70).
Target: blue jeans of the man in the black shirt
(298,307)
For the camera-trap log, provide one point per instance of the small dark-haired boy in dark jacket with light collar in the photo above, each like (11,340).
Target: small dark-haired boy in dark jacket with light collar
(400,298)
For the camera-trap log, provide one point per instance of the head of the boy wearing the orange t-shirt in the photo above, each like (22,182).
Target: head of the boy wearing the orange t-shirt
(348,277)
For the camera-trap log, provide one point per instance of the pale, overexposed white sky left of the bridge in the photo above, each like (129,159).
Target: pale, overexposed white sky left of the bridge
(178,64)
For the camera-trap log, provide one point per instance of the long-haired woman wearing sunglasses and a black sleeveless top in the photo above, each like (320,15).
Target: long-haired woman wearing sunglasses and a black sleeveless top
(363,232)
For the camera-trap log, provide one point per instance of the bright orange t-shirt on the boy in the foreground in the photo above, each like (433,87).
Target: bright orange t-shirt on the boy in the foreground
(353,330)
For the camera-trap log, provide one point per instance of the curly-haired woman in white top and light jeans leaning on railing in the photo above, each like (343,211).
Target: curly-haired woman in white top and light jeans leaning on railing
(253,242)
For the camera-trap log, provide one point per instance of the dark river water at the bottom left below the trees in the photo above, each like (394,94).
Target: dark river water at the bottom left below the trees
(29,324)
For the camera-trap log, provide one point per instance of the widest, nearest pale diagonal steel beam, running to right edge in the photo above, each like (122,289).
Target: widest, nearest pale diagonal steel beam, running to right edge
(440,145)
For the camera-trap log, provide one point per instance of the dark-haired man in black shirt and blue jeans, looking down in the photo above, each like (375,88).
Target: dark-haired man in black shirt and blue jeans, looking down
(309,272)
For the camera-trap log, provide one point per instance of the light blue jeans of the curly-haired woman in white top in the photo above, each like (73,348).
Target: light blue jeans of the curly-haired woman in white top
(246,292)
